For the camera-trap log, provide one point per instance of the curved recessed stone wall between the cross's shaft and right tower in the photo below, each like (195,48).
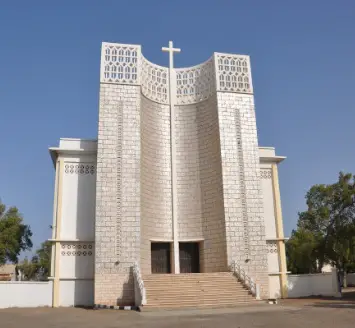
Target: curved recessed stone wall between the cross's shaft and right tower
(199,181)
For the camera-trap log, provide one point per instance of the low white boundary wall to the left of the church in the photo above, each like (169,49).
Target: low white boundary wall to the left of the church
(25,294)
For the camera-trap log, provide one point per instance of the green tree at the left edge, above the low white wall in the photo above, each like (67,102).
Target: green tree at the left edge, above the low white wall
(15,236)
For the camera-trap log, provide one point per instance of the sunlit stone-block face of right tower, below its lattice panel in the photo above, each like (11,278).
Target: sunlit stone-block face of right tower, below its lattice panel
(245,230)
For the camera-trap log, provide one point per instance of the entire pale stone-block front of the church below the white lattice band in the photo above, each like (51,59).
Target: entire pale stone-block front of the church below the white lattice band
(218,185)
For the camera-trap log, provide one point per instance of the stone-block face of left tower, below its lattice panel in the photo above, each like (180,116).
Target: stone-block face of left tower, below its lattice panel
(117,226)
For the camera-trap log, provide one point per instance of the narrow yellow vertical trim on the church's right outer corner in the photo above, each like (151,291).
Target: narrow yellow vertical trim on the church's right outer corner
(279,231)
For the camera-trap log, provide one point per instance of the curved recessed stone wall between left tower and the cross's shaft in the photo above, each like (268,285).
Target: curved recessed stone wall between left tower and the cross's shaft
(156,216)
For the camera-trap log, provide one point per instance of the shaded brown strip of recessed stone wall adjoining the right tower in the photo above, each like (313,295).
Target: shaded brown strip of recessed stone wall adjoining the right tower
(214,252)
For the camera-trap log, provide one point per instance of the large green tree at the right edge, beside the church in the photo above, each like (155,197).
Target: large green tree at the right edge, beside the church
(329,223)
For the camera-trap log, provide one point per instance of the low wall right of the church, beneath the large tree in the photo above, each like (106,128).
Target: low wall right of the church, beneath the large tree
(322,284)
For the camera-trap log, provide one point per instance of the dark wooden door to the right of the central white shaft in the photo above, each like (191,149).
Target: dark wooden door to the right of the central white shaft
(189,257)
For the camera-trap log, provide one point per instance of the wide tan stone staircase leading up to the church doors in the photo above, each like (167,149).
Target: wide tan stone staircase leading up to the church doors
(195,290)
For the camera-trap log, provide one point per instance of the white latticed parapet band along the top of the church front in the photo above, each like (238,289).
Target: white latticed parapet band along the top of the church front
(125,64)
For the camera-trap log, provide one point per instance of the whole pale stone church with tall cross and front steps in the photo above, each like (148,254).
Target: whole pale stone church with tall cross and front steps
(175,204)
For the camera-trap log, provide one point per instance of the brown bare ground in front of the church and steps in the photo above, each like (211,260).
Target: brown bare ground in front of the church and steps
(315,313)
